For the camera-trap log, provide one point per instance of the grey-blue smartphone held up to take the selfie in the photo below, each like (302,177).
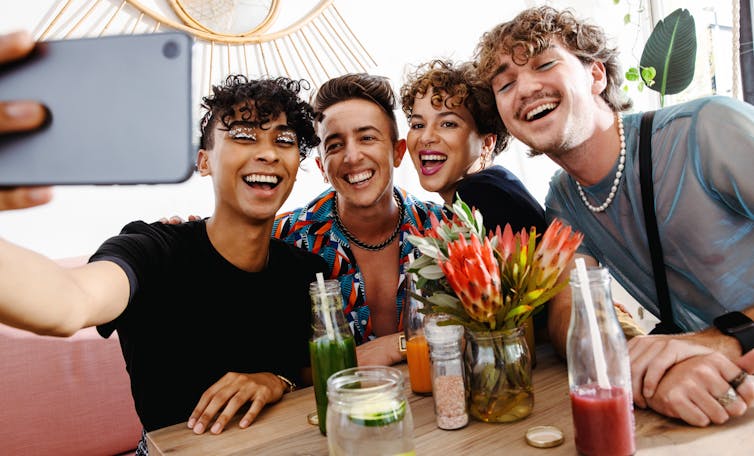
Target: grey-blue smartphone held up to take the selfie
(120,112)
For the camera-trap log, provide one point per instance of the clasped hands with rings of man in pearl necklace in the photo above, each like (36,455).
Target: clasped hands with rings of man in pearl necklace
(691,390)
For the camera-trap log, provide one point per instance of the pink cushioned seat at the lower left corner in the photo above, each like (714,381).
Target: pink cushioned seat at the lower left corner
(64,396)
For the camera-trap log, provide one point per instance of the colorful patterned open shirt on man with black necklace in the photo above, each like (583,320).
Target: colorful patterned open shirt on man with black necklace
(312,228)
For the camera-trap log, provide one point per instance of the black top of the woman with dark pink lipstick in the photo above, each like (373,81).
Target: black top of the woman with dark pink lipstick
(501,198)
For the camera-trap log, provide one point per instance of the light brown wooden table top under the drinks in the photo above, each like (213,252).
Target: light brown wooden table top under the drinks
(282,429)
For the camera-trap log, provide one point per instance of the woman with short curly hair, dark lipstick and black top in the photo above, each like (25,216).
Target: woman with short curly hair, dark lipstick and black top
(454,136)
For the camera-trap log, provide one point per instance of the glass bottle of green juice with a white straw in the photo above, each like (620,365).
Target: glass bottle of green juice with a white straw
(332,347)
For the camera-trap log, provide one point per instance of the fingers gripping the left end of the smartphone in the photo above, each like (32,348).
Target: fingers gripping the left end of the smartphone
(18,116)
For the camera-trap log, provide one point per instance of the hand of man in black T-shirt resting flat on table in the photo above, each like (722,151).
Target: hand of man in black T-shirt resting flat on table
(231,393)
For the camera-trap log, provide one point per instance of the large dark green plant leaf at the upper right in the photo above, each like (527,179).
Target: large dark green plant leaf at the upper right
(671,50)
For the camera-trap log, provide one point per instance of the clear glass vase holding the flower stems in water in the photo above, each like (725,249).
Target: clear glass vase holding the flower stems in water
(498,371)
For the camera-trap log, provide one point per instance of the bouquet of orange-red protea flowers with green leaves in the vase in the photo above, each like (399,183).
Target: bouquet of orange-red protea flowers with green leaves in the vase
(497,283)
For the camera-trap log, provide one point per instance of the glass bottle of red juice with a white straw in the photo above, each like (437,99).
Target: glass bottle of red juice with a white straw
(599,371)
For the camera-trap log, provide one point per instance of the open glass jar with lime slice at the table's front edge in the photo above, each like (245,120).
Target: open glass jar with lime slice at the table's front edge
(368,413)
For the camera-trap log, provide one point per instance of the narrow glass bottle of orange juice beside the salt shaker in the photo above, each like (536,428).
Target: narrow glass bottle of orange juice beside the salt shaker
(417,350)
